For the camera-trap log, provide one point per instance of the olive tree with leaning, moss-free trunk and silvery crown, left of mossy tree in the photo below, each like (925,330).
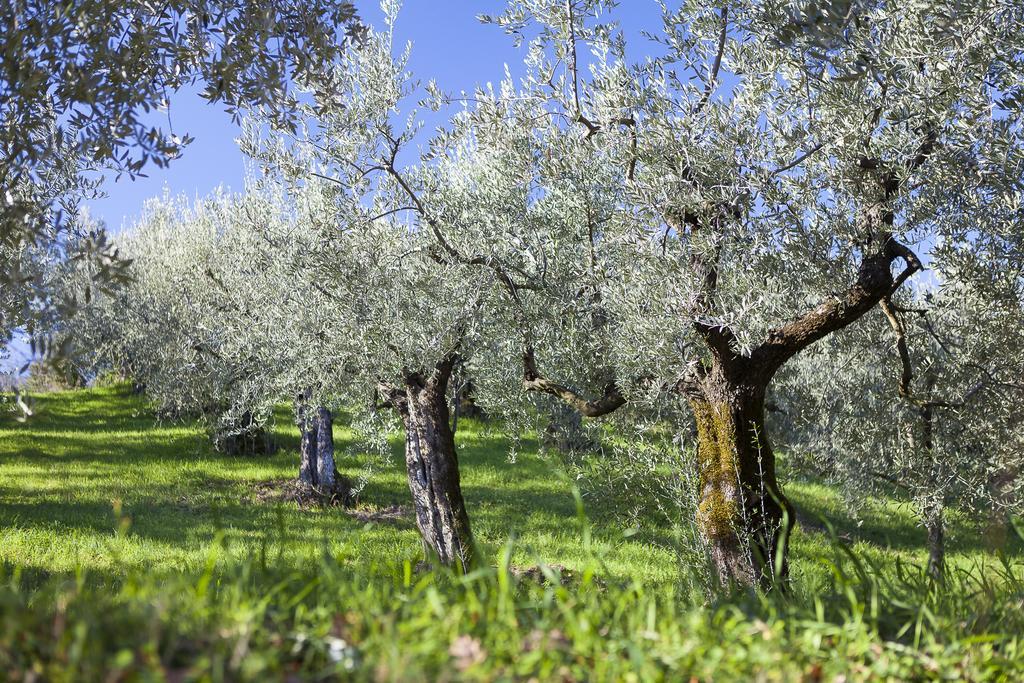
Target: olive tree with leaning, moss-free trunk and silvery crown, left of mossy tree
(397,320)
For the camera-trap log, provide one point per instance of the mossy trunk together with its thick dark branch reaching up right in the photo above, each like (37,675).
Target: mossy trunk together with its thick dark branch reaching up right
(743,513)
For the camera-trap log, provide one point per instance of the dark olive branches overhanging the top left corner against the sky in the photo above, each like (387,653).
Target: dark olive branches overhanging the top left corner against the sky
(77,80)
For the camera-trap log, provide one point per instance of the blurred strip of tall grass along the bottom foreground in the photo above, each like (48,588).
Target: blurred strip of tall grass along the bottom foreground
(326,624)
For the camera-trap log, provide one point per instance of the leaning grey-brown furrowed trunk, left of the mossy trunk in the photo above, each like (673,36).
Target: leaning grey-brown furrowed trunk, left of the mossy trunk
(434,467)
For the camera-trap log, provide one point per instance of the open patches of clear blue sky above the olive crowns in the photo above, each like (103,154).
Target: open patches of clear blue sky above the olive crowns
(449,46)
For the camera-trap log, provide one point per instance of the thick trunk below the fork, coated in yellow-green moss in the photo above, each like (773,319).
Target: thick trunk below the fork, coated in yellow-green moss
(742,513)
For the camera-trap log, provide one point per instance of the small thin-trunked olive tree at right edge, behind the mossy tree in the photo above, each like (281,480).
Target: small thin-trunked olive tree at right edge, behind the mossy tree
(921,398)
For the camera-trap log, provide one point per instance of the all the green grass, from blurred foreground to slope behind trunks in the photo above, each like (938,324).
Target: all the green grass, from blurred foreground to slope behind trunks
(134,552)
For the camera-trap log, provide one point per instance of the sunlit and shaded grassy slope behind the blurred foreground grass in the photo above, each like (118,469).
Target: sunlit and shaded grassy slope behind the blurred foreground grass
(64,474)
